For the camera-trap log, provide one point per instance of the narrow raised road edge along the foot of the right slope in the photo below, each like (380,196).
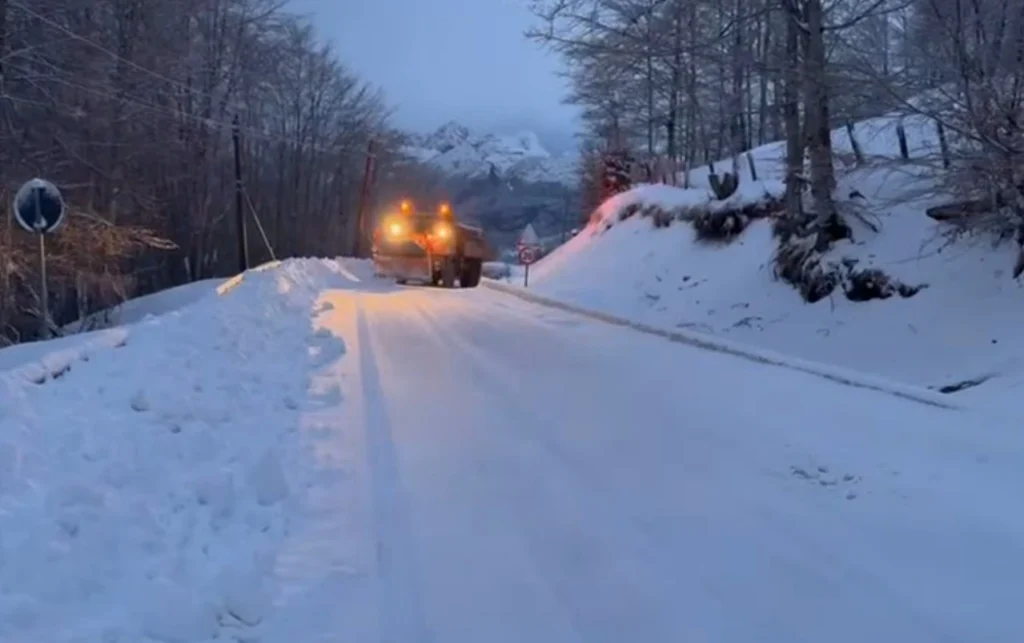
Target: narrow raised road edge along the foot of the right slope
(715,345)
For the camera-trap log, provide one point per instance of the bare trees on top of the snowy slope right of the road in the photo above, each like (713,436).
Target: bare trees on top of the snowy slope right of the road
(687,82)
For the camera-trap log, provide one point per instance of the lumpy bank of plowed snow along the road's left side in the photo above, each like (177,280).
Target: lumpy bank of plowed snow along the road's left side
(145,493)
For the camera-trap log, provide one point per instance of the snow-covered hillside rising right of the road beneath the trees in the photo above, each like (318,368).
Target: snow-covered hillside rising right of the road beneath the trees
(964,326)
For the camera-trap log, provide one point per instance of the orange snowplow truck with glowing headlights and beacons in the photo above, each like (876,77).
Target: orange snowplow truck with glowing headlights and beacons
(430,247)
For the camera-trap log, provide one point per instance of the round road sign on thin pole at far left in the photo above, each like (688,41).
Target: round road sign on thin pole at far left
(39,208)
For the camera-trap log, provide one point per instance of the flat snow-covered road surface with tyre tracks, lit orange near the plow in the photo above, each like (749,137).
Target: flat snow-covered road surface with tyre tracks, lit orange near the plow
(508,474)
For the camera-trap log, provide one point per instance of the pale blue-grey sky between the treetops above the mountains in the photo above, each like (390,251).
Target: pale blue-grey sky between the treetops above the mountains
(450,60)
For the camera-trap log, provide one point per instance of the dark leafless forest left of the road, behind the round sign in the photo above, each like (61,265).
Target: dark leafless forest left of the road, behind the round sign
(129,105)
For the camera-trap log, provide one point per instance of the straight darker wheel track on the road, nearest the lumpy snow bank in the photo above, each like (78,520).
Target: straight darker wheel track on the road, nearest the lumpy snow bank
(400,602)
